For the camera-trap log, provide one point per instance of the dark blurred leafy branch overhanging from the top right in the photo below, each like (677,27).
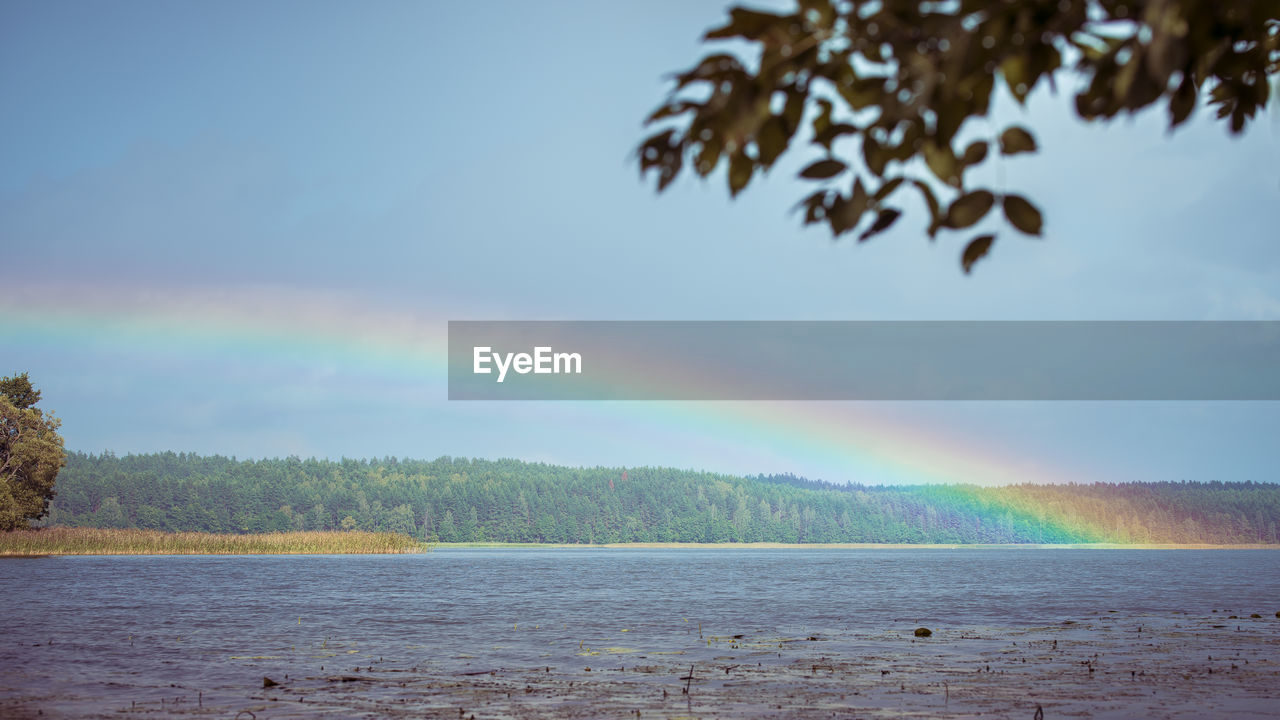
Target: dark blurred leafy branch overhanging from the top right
(902,79)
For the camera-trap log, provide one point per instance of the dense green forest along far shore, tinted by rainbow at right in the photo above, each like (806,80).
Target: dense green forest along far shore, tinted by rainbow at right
(459,500)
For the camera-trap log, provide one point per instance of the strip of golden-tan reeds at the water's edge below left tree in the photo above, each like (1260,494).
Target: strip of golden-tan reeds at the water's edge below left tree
(98,541)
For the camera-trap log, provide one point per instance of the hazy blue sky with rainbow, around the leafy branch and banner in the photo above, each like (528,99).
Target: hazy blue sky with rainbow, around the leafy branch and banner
(241,229)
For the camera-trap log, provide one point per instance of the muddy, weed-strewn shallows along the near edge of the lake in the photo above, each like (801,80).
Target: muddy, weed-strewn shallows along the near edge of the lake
(1104,667)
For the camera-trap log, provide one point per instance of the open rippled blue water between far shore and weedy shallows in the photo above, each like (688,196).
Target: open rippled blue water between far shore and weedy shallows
(108,632)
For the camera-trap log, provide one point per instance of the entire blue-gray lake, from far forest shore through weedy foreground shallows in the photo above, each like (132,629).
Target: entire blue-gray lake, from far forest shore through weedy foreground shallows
(358,635)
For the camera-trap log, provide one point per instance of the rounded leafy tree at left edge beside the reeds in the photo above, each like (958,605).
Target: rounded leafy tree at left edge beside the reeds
(31,454)
